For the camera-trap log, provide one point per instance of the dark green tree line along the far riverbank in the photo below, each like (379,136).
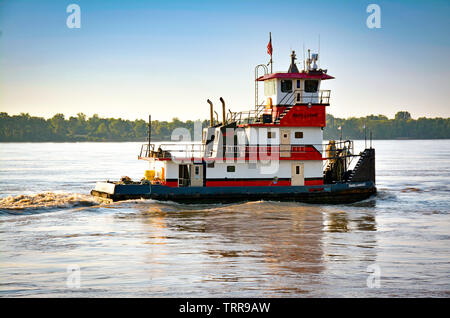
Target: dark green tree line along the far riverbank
(23,127)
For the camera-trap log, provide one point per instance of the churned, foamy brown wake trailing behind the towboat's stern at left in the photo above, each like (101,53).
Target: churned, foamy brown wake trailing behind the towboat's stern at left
(47,200)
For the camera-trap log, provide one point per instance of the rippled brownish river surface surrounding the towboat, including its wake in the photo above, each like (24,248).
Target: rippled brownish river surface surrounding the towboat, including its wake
(58,241)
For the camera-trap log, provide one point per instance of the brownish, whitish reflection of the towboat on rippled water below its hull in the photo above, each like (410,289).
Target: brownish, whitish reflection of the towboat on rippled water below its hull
(253,248)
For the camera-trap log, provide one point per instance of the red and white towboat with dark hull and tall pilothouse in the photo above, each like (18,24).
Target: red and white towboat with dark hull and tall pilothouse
(274,151)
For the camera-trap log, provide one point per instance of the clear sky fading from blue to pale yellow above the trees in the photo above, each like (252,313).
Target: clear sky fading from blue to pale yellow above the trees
(133,58)
